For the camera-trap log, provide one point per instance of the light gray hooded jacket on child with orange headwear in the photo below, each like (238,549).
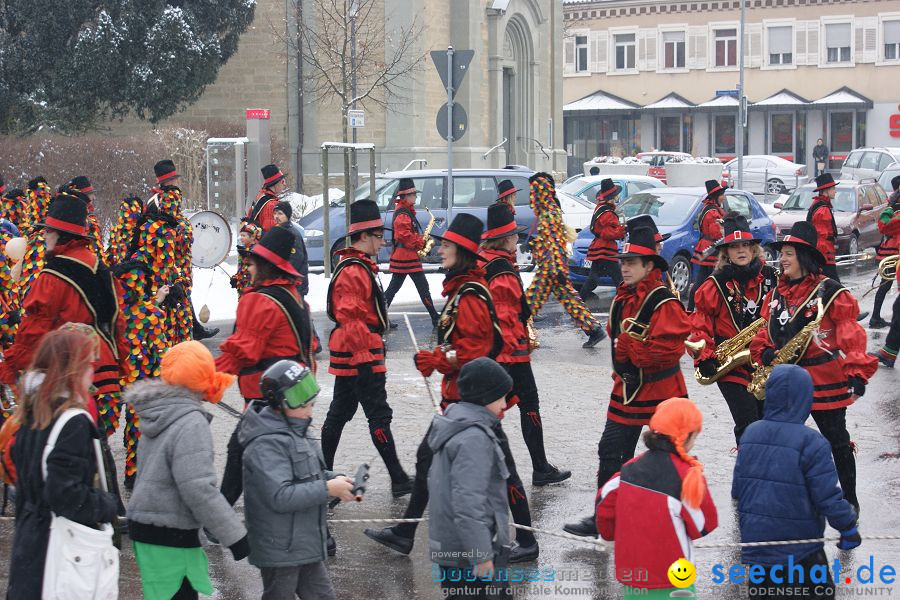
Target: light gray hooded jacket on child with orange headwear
(176,483)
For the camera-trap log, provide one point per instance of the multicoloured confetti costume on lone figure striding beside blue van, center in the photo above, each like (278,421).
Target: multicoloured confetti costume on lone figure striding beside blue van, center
(549,251)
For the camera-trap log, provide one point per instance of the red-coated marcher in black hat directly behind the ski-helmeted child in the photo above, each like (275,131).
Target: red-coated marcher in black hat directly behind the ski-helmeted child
(272,324)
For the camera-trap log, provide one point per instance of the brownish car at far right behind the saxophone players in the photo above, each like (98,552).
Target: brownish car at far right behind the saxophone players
(857,205)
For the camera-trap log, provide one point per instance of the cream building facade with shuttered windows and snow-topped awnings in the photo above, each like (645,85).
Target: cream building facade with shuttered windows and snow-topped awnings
(663,74)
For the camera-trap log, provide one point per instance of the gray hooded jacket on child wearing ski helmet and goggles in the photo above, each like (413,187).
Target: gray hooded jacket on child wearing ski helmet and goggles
(285,496)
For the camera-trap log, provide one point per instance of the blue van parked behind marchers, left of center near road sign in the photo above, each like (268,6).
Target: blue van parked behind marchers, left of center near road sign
(473,191)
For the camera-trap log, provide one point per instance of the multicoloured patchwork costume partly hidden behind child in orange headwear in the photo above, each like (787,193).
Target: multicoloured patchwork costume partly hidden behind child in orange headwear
(146,337)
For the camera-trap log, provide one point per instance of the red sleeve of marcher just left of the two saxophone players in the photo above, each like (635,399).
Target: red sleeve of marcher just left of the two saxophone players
(669,327)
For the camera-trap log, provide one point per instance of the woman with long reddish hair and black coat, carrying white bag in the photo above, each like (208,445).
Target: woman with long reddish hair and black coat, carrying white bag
(57,380)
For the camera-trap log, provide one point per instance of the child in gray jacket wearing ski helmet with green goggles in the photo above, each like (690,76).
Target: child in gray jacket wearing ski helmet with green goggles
(286,487)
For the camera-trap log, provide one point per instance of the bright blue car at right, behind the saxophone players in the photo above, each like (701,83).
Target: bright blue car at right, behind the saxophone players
(676,212)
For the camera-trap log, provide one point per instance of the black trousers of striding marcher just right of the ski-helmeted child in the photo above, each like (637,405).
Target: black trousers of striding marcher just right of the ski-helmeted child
(366,388)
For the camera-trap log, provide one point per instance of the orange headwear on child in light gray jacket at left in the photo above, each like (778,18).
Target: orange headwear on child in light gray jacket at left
(190,364)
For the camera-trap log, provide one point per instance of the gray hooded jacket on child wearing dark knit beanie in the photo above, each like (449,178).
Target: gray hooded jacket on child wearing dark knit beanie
(469,519)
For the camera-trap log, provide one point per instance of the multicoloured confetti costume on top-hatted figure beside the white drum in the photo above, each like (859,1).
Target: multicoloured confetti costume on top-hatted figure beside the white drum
(162,240)
